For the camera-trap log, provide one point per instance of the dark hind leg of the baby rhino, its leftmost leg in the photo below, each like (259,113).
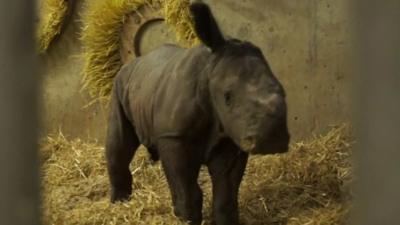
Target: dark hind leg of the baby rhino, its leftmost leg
(121,144)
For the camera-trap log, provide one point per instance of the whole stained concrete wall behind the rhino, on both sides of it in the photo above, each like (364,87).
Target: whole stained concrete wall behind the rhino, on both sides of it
(305,43)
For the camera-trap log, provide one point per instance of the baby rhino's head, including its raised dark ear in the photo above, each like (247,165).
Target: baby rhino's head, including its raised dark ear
(246,96)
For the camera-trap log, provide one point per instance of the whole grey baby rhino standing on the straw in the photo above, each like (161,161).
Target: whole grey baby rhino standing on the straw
(213,104)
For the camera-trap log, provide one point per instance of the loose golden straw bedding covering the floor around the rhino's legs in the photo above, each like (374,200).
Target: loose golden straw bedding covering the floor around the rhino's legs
(309,185)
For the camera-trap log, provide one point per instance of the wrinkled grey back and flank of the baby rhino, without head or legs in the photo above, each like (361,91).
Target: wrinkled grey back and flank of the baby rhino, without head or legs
(161,91)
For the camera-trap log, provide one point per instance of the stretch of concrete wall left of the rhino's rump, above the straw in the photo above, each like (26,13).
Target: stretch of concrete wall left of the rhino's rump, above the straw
(64,103)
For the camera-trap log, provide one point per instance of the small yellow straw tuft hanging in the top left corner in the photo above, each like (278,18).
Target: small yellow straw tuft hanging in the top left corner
(51,16)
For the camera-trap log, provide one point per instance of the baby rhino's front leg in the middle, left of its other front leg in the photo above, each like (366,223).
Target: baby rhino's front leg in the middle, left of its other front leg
(181,163)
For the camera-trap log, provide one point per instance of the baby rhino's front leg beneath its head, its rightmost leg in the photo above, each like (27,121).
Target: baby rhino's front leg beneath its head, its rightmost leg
(226,167)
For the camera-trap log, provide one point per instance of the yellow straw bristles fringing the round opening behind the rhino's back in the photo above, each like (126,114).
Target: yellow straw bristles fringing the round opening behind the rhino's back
(102,23)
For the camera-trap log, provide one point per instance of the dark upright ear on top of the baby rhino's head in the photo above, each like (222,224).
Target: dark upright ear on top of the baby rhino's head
(205,25)
